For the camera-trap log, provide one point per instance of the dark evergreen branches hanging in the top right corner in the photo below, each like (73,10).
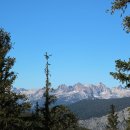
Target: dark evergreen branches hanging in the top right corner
(122,5)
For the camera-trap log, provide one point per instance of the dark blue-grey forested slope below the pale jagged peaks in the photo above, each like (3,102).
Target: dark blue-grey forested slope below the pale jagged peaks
(99,107)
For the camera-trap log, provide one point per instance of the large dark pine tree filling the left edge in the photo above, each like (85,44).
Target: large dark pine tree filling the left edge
(10,109)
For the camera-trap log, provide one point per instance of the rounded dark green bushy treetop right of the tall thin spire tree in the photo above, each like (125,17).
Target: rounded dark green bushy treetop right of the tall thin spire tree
(62,118)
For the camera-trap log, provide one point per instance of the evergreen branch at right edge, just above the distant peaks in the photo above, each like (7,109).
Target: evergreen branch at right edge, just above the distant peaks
(122,72)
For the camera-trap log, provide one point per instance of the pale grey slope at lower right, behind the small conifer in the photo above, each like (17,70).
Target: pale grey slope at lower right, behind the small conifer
(101,123)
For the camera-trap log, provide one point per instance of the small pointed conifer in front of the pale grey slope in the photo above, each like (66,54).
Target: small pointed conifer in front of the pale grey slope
(112,119)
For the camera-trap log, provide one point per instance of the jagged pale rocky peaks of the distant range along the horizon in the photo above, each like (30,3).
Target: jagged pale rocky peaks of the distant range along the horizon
(71,94)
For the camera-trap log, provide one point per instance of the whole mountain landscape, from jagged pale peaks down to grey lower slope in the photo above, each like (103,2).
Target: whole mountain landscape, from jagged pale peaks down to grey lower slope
(89,102)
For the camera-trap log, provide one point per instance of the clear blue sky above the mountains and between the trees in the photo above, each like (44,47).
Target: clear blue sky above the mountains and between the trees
(83,39)
